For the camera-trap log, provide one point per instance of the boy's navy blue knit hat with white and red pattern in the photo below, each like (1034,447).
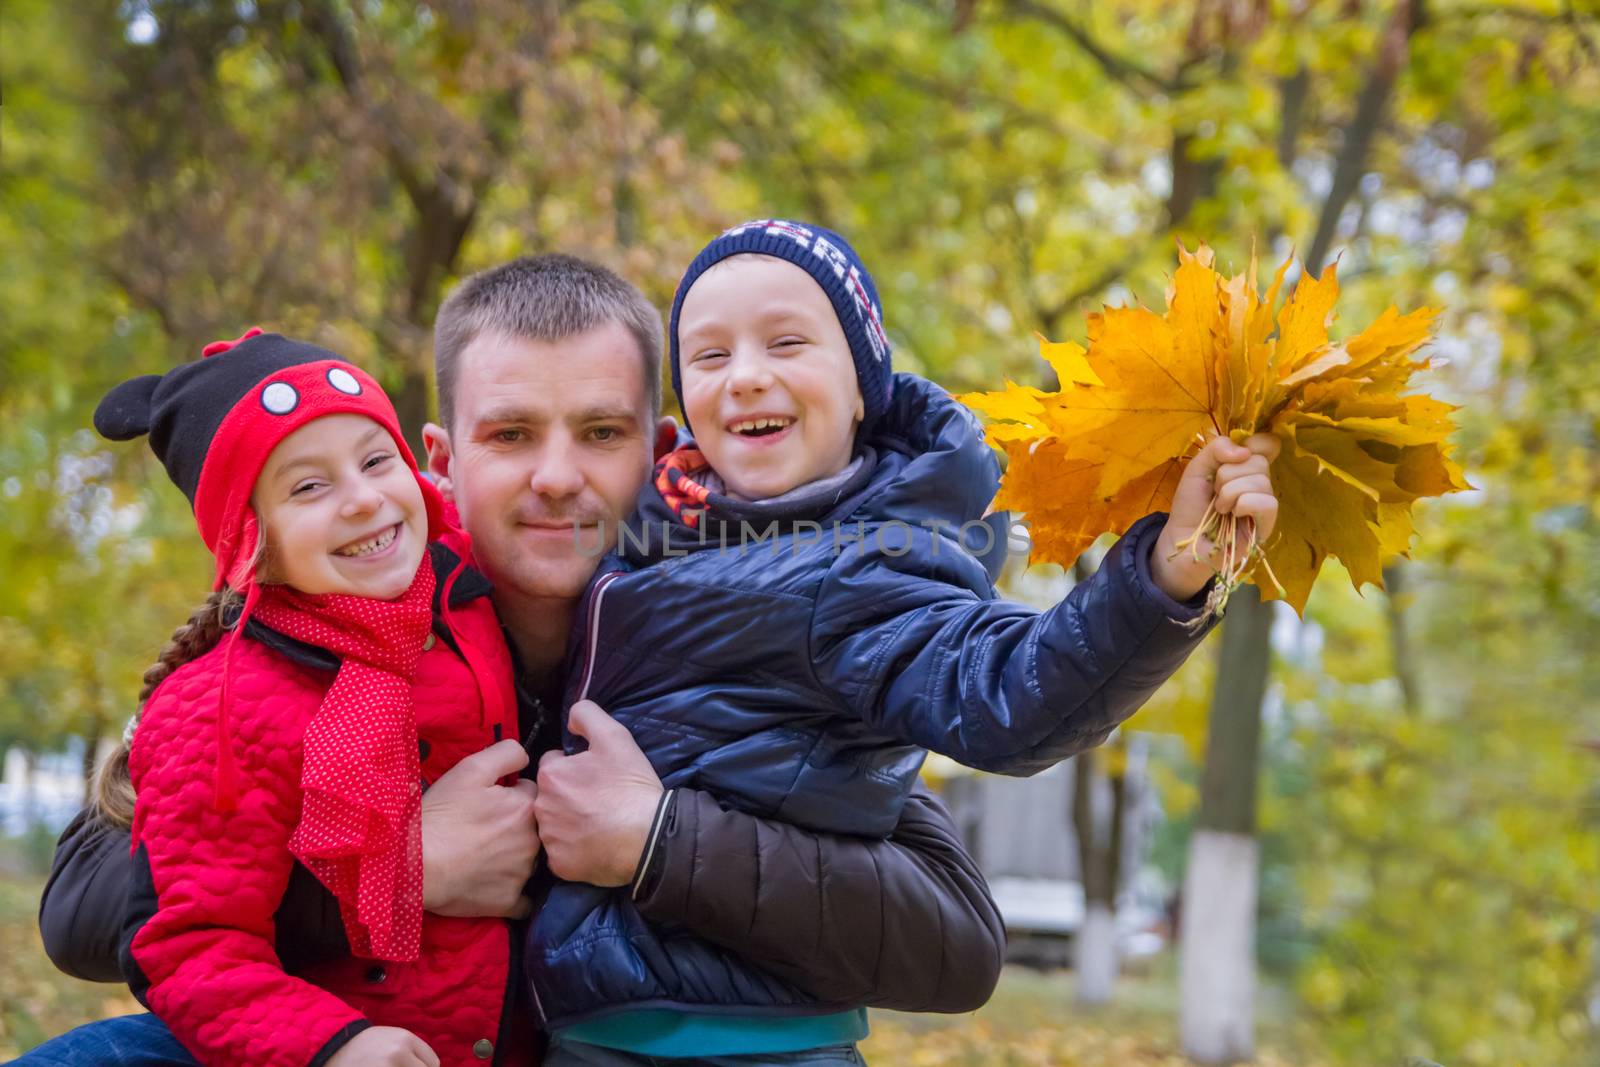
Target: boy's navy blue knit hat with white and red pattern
(836,266)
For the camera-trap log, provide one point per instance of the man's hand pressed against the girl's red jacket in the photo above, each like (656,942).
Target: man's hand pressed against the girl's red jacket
(479,837)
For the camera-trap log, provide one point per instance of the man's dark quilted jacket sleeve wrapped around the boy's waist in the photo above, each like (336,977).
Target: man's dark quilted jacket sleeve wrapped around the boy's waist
(903,922)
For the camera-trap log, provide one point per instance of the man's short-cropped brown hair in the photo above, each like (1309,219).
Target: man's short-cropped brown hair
(543,298)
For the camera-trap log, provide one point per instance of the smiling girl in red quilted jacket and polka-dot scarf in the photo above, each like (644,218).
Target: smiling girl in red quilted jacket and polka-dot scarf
(300,716)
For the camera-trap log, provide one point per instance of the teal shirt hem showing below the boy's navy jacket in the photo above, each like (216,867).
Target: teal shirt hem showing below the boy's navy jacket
(686,1034)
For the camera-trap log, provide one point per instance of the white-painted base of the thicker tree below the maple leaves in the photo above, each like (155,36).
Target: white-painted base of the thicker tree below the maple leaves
(1218,948)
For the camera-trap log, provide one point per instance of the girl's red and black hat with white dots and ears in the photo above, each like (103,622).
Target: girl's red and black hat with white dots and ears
(215,422)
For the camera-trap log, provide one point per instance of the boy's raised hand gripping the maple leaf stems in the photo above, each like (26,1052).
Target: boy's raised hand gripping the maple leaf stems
(1238,479)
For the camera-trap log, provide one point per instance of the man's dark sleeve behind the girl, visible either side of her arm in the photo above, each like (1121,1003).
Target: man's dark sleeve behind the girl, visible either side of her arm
(81,914)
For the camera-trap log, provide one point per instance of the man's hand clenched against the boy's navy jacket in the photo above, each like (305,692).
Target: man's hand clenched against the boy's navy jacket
(596,807)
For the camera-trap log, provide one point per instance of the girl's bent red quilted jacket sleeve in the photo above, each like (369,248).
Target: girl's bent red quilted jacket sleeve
(201,957)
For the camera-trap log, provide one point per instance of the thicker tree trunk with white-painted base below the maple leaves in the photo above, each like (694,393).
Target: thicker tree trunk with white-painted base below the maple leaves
(1218,935)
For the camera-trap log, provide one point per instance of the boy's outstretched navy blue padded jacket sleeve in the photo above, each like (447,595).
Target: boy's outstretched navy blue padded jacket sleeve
(918,647)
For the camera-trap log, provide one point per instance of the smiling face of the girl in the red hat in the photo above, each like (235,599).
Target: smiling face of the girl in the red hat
(342,511)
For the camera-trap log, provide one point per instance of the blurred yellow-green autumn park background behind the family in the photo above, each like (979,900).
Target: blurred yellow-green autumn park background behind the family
(1412,773)
